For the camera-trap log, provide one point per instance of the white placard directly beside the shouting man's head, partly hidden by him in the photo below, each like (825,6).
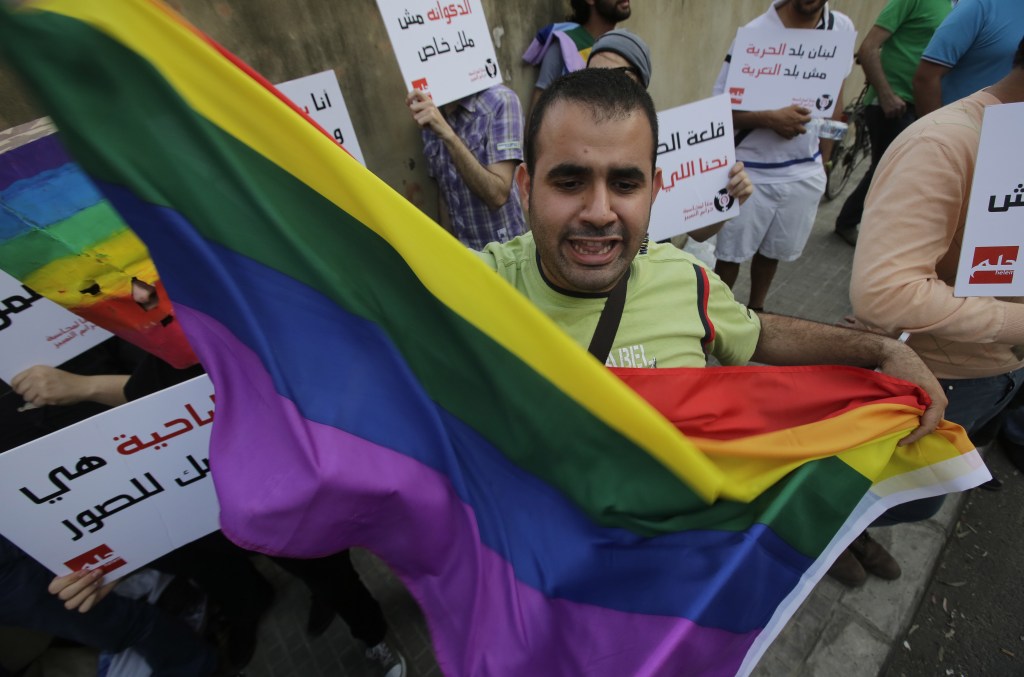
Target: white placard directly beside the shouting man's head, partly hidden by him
(695,154)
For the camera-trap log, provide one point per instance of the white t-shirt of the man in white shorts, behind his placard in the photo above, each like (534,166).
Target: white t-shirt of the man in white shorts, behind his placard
(769,157)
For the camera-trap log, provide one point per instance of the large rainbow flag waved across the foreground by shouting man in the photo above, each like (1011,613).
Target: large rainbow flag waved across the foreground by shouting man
(378,387)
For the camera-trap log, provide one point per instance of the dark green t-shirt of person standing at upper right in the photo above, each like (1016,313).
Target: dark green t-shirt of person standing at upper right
(912,24)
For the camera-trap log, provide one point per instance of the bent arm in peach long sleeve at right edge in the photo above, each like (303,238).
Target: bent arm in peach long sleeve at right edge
(918,199)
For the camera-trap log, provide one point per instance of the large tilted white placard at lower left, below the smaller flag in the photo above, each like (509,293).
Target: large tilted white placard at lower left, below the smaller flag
(118,490)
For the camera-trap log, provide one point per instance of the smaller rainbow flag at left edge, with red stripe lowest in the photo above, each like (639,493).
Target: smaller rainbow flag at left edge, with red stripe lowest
(60,237)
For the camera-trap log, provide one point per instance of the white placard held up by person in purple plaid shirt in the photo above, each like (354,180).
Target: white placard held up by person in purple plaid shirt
(443,50)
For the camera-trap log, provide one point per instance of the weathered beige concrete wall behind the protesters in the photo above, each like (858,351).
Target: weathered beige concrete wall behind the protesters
(286,39)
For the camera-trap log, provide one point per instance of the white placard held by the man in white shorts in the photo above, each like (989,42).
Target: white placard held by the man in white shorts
(776,68)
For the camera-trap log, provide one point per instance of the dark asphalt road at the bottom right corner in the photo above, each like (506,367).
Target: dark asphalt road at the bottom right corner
(971,621)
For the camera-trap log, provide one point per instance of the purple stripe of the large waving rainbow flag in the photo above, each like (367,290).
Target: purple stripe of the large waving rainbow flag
(416,519)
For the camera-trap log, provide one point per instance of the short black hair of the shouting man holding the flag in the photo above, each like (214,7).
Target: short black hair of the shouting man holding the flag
(609,94)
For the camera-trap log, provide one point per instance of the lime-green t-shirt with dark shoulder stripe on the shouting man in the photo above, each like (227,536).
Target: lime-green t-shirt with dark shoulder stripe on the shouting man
(669,320)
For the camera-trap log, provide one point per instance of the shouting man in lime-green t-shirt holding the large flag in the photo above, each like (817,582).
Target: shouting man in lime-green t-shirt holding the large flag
(588,186)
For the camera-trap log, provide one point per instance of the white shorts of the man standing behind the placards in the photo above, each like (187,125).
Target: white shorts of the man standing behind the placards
(776,223)
